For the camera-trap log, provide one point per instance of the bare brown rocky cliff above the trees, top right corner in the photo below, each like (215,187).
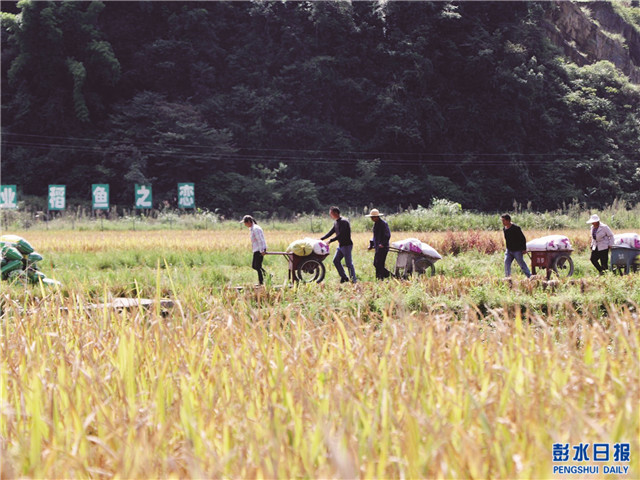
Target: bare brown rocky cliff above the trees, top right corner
(588,32)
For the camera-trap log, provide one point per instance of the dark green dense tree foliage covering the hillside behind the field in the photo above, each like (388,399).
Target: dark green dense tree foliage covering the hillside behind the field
(285,107)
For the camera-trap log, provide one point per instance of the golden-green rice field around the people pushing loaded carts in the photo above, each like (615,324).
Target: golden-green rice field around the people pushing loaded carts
(460,375)
